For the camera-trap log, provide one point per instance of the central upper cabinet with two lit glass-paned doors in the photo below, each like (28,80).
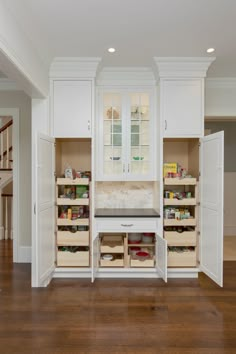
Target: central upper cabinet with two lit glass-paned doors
(125,135)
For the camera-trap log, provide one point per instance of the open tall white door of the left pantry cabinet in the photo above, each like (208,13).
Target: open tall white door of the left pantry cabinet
(43,242)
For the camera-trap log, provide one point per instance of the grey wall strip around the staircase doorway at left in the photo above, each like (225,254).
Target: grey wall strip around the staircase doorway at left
(18,99)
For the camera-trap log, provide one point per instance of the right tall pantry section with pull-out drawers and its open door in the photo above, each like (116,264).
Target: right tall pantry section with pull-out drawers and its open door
(195,239)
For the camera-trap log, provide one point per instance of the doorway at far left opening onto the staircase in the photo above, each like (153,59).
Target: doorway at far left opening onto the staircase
(9,182)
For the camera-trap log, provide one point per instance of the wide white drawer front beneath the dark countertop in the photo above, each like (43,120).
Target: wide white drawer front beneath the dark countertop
(127,224)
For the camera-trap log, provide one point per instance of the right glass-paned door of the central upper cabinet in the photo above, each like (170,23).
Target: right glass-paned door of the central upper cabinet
(139,128)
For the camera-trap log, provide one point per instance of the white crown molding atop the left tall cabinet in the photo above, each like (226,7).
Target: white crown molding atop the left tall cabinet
(74,67)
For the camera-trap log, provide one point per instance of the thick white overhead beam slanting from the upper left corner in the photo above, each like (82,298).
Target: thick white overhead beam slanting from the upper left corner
(19,59)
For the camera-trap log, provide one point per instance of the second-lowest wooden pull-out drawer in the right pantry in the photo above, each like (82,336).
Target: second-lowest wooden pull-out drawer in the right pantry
(186,238)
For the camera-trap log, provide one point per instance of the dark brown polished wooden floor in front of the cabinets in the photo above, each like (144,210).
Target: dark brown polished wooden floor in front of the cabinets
(115,316)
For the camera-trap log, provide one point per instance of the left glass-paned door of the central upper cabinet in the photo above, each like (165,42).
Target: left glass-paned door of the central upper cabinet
(113,160)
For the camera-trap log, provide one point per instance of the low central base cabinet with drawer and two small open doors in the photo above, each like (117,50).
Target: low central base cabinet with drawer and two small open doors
(113,237)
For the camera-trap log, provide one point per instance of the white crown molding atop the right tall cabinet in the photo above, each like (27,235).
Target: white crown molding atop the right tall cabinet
(182,67)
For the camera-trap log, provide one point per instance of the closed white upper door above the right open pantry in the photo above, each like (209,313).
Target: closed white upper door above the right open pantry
(182,107)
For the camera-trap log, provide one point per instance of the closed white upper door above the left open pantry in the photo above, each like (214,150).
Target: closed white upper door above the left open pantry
(72,108)
